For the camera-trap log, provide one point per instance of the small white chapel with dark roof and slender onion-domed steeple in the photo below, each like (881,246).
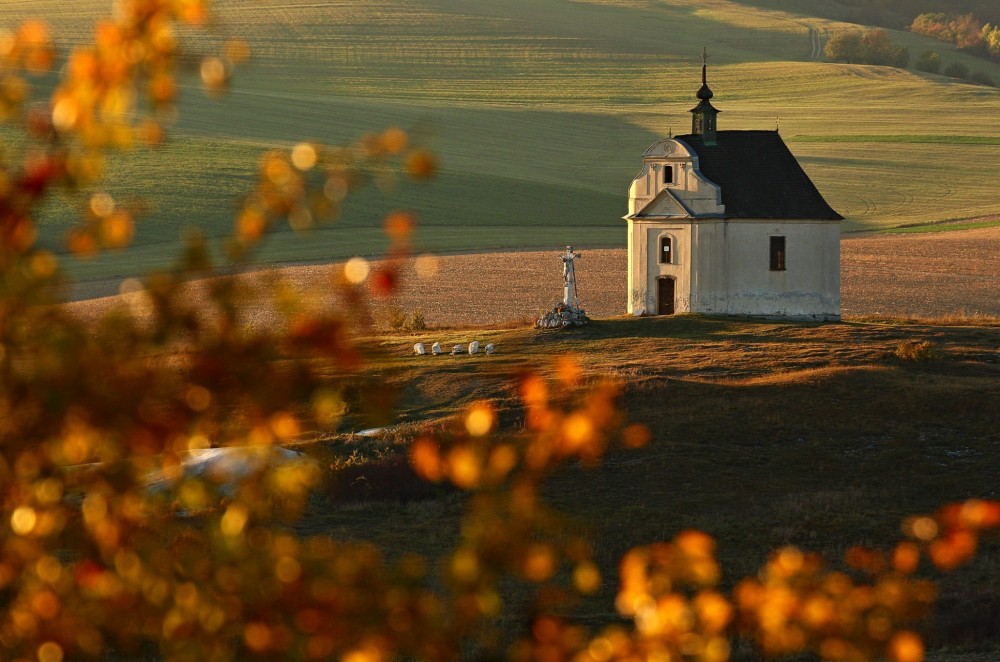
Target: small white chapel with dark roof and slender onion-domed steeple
(727,222)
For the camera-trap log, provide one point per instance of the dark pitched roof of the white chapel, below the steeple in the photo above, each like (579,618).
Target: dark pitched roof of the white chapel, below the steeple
(759,176)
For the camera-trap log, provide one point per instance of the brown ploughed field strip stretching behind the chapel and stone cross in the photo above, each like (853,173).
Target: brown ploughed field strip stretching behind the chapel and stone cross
(915,275)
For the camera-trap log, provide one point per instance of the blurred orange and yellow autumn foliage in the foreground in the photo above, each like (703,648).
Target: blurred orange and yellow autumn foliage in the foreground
(96,554)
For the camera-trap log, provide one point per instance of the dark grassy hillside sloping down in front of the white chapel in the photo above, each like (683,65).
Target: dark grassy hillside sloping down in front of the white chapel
(764,435)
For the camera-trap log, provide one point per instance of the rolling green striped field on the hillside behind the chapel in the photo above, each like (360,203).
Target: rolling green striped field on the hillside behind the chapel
(539,111)
